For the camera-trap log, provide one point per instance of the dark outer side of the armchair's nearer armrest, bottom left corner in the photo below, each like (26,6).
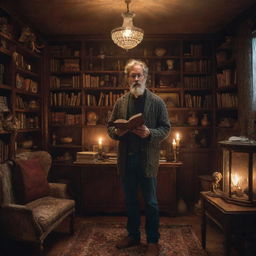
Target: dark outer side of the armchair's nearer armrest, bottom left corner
(18,221)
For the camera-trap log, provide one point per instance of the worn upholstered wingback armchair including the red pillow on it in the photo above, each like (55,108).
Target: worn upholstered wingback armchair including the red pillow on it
(44,206)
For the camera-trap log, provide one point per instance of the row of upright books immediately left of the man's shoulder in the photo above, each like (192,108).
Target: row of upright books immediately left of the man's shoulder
(104,99)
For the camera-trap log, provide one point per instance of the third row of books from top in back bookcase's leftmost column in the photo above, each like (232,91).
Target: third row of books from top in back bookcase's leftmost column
(64,82)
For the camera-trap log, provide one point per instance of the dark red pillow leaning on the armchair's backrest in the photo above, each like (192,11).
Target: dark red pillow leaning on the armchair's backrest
(30,180)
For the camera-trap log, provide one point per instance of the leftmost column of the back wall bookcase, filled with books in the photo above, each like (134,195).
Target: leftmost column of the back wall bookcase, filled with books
(65,100)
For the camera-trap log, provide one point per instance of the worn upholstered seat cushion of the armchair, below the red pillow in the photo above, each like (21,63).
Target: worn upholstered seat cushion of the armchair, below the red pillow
(47,210)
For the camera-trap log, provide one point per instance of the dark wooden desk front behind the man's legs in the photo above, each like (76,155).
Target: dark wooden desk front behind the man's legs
(98,188)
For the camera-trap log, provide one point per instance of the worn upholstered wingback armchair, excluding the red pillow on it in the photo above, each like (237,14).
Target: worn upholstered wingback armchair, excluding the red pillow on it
(34,219)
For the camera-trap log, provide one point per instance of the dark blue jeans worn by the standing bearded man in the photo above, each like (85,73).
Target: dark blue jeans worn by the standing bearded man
(133,180)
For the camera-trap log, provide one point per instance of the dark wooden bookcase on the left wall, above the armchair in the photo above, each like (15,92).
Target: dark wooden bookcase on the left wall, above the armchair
(20,96)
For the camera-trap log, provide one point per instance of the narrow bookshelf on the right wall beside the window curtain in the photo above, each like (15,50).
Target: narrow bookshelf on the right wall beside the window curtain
(226,90)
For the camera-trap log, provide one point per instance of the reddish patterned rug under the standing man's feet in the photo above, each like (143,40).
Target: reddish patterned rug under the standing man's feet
(99,239)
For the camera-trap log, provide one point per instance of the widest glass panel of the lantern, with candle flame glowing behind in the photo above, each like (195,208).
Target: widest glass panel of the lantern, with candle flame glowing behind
(239,175)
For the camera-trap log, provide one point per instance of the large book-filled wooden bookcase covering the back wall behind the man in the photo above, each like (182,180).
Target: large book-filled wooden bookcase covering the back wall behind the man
(181,71)
